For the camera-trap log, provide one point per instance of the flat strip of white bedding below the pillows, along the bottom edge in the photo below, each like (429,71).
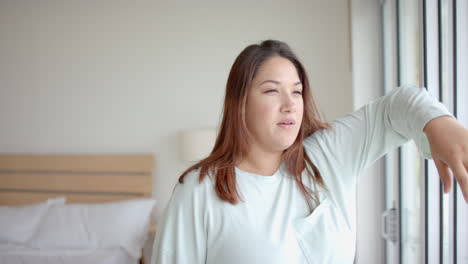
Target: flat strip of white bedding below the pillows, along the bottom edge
(15,255)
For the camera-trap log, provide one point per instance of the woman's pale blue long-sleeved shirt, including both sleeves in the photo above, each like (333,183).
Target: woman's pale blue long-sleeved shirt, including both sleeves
(274,223)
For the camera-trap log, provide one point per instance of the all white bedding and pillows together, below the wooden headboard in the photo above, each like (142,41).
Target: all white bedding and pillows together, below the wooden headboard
(102,233)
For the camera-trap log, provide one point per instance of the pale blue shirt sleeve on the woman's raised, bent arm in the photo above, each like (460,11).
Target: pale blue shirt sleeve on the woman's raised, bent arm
(357,140)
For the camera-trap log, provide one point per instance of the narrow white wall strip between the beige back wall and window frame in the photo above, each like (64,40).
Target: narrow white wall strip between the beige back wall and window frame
(367,85)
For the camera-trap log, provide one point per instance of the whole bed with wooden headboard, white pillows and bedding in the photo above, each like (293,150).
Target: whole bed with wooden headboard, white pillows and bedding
(75,208)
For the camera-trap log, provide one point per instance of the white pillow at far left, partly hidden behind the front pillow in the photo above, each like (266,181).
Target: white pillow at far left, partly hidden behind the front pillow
(19,223)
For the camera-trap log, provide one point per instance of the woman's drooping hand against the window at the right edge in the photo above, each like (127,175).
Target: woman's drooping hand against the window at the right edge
(448,140)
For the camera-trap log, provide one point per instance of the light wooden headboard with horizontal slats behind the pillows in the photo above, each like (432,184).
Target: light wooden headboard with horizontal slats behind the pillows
(81,178)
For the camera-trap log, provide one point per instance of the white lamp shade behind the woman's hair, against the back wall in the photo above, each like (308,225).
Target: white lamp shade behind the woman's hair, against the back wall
(196,144)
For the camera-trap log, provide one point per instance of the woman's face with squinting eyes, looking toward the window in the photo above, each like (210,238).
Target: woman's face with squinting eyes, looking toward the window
(274,105)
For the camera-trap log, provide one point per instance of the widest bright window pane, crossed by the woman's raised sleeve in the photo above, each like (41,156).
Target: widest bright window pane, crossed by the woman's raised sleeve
(412,181)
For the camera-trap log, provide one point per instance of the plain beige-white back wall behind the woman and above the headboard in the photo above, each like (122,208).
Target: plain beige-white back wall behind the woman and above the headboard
(126,76)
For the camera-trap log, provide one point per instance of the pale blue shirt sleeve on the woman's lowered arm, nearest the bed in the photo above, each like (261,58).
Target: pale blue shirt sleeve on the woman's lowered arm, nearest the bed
(180,236)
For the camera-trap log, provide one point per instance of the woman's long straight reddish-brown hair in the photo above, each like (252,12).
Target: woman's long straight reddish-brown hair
(231,143)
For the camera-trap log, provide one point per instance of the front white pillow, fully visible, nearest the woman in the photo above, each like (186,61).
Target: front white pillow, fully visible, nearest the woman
(90,226)
